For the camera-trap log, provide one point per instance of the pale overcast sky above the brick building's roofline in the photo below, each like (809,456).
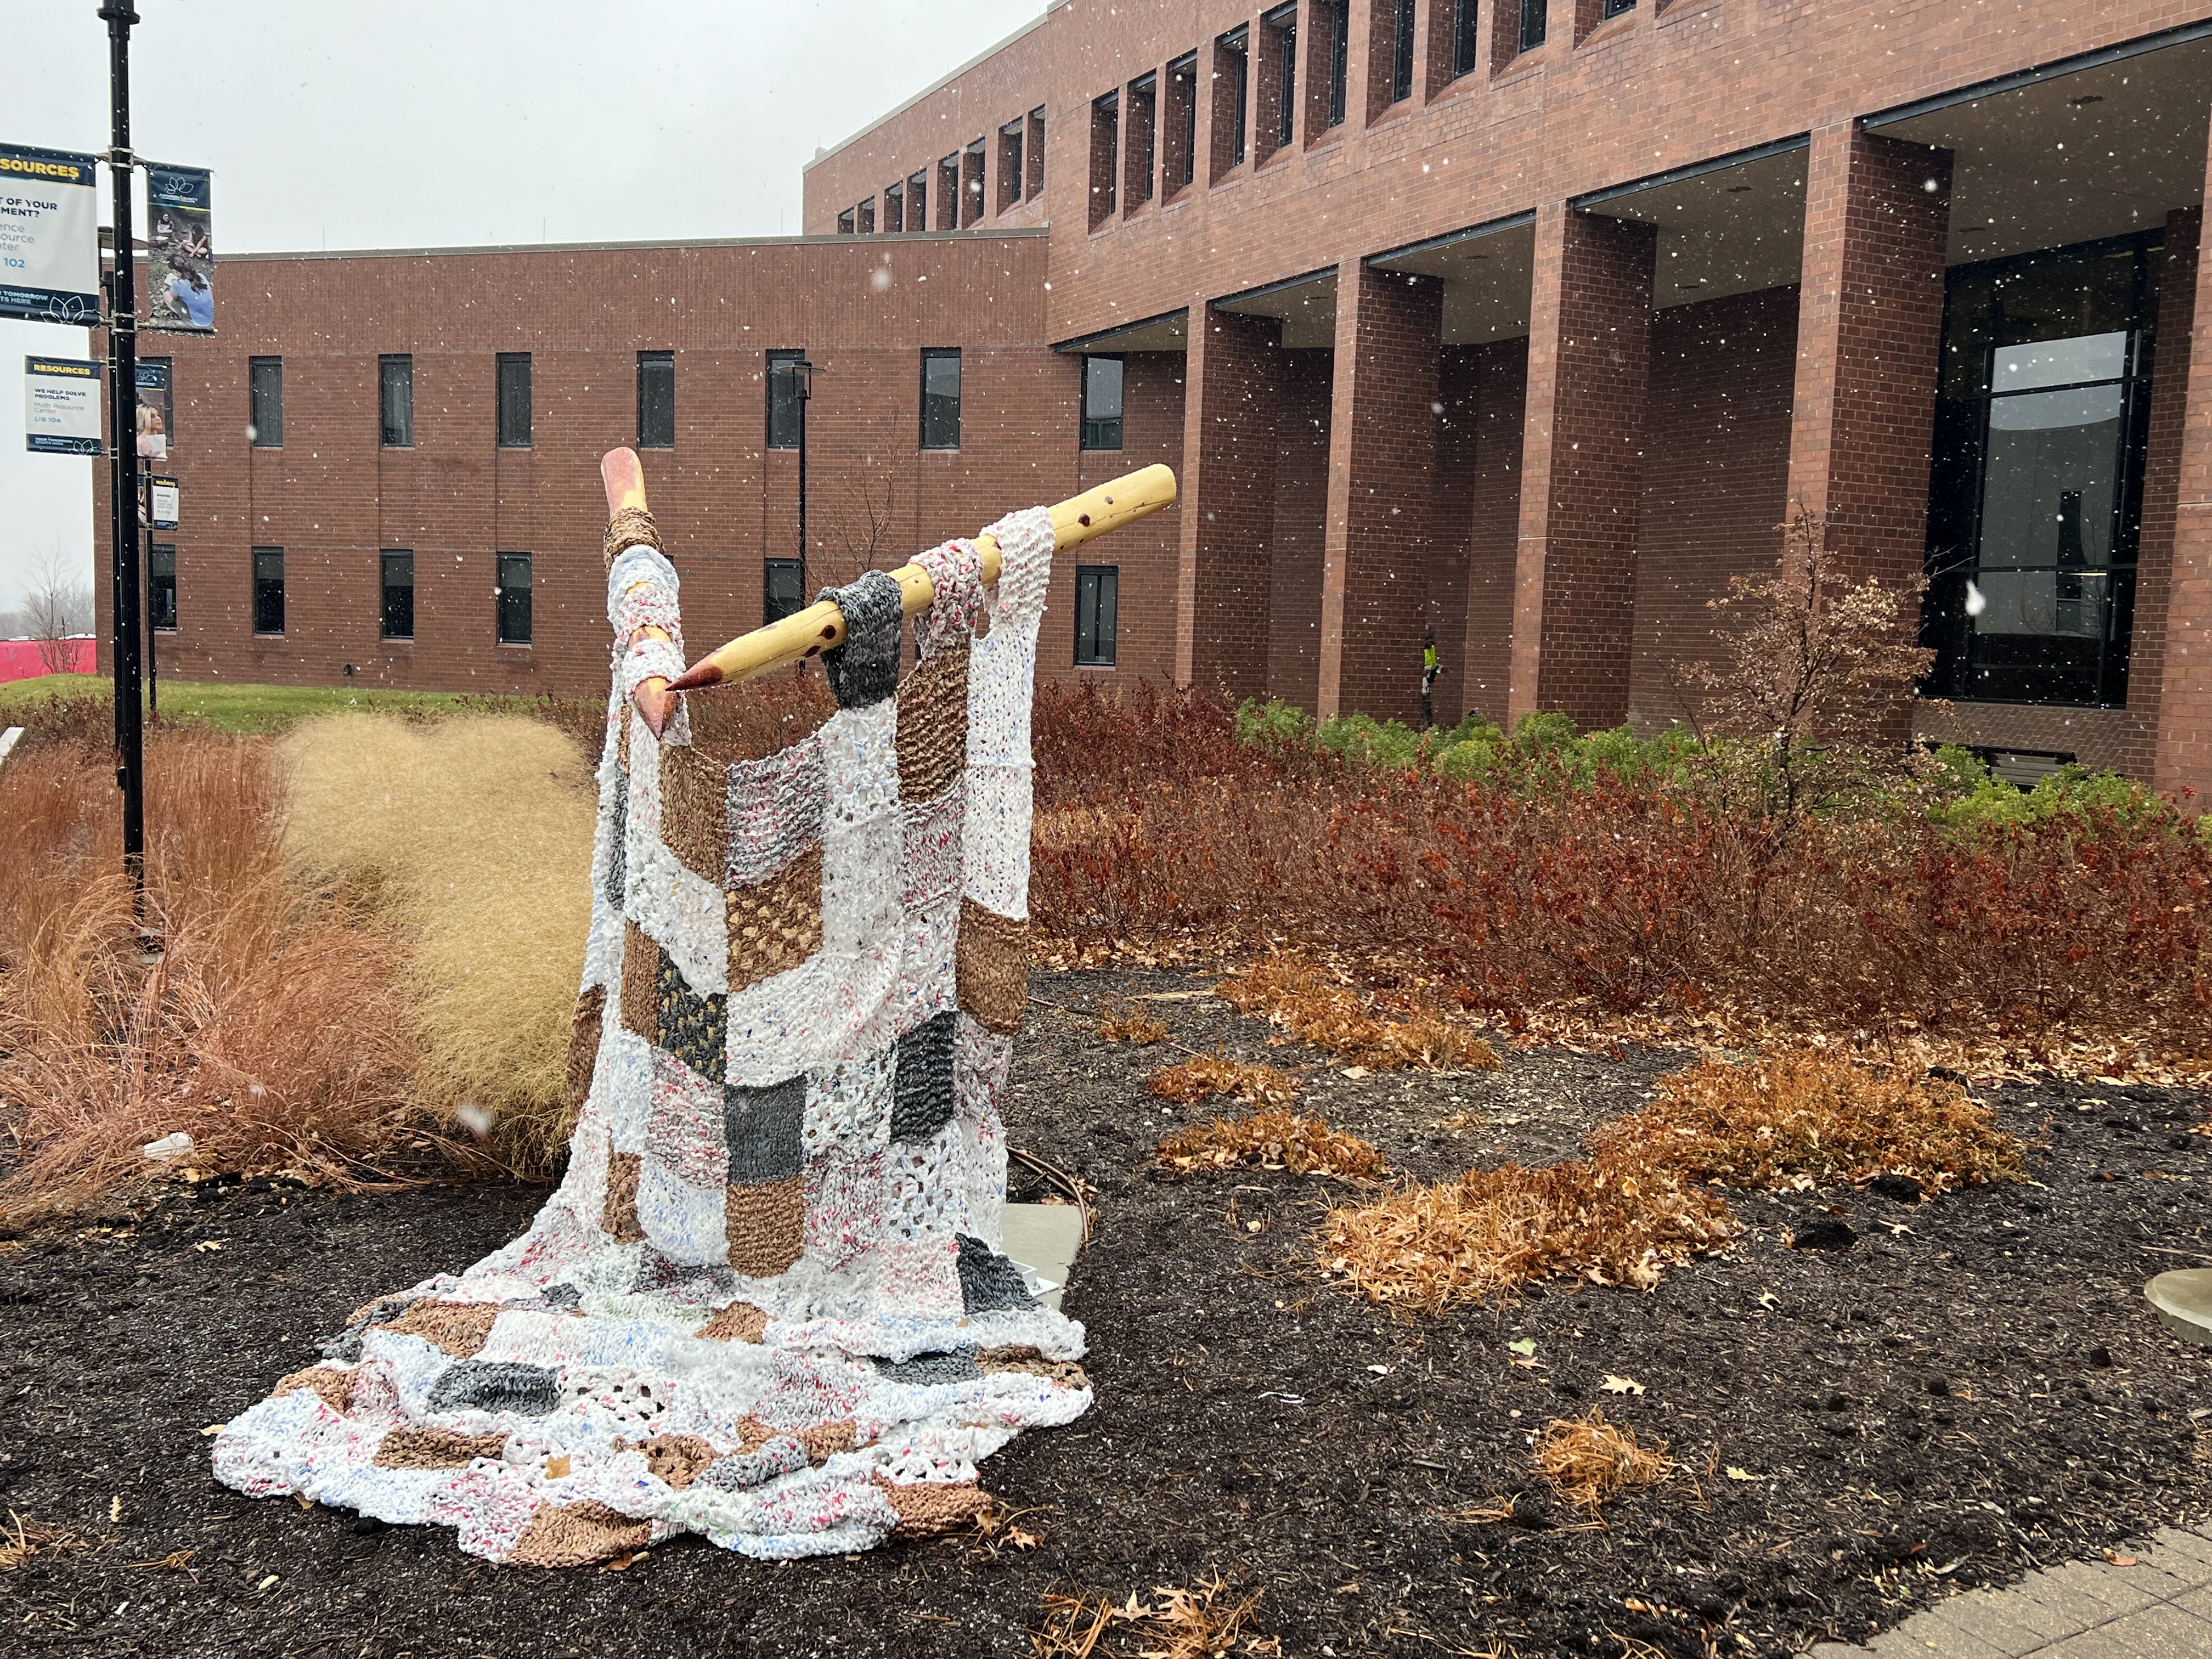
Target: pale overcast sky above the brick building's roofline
(441,123)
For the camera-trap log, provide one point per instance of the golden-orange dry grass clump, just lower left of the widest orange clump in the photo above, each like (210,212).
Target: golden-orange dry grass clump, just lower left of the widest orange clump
(1426,1249)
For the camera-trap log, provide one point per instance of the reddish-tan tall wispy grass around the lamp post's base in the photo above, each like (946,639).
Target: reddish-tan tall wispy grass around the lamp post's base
(271,1025)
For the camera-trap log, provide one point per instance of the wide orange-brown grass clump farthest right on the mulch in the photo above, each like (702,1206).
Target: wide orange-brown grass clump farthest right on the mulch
(1813,1116)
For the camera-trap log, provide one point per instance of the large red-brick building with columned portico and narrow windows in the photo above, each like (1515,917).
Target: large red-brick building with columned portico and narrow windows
(1521,320)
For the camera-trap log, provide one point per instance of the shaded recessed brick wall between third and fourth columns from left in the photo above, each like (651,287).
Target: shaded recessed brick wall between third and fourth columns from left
(1715,479)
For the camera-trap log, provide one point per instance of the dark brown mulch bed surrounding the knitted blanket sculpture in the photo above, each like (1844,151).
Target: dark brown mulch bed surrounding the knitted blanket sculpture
(1972,1390)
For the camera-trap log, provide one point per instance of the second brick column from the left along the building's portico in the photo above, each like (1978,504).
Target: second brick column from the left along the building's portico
(1375,585)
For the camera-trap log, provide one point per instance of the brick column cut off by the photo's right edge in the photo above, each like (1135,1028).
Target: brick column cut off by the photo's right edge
(2187,674)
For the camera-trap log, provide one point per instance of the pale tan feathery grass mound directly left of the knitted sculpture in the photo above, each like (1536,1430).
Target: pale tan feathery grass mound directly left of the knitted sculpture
(474,839)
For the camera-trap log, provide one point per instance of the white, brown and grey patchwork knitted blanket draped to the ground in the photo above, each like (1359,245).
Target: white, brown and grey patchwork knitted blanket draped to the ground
(769,1302)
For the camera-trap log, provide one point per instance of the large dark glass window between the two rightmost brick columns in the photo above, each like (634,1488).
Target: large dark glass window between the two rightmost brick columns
(2038,474)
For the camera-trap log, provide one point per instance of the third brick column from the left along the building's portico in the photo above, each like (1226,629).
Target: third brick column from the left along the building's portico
(1583,466)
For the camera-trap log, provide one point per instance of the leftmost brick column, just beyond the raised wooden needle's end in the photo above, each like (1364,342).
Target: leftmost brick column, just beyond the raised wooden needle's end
(1229,503)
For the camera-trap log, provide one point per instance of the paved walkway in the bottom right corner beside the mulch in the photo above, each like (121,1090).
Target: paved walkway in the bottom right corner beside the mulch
(2158,1609)
